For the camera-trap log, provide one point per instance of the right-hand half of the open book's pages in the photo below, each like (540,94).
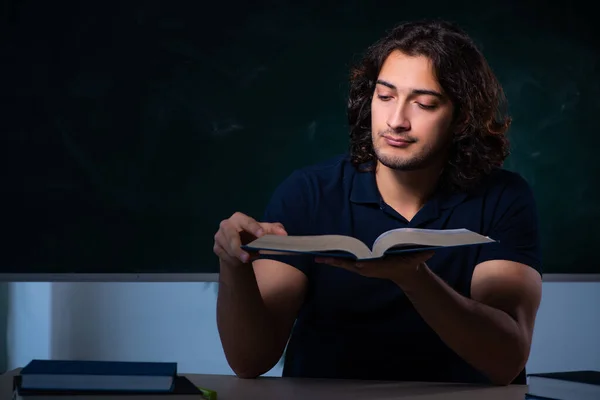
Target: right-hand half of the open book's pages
(405,237)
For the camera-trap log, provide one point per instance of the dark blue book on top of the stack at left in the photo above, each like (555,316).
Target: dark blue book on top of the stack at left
(98,375)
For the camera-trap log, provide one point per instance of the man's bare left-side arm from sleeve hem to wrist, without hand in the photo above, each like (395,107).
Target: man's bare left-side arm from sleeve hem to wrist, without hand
(256,309)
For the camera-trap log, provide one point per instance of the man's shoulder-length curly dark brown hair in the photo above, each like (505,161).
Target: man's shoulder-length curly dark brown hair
(480,119)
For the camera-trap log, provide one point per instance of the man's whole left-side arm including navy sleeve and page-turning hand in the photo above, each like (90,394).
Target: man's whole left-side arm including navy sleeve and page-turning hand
(258,304)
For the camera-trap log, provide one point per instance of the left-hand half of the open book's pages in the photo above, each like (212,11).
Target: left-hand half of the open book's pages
(312,244)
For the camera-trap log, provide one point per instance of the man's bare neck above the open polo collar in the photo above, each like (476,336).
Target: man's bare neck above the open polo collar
(406,191)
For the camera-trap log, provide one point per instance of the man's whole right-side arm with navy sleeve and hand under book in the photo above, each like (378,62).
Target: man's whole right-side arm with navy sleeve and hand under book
(492,329)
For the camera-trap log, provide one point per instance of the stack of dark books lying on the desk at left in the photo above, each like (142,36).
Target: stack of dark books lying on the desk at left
(99,380)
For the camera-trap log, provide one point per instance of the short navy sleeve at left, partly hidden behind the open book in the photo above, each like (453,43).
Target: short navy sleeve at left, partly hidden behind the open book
(290,205)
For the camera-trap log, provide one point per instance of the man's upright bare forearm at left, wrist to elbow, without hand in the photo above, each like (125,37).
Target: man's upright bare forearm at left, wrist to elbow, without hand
(245,327)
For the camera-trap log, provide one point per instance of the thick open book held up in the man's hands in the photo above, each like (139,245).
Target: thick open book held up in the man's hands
(390,242)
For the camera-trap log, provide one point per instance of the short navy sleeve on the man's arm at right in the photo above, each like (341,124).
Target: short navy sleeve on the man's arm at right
(515,227)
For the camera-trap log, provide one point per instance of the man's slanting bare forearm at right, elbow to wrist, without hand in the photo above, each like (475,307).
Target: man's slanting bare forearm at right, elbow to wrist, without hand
(487,338)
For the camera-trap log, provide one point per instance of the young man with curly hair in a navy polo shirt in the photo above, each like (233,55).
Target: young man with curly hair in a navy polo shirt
(427,143)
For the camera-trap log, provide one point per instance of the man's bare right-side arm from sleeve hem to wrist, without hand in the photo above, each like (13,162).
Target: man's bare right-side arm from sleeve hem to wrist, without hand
(492,331)
